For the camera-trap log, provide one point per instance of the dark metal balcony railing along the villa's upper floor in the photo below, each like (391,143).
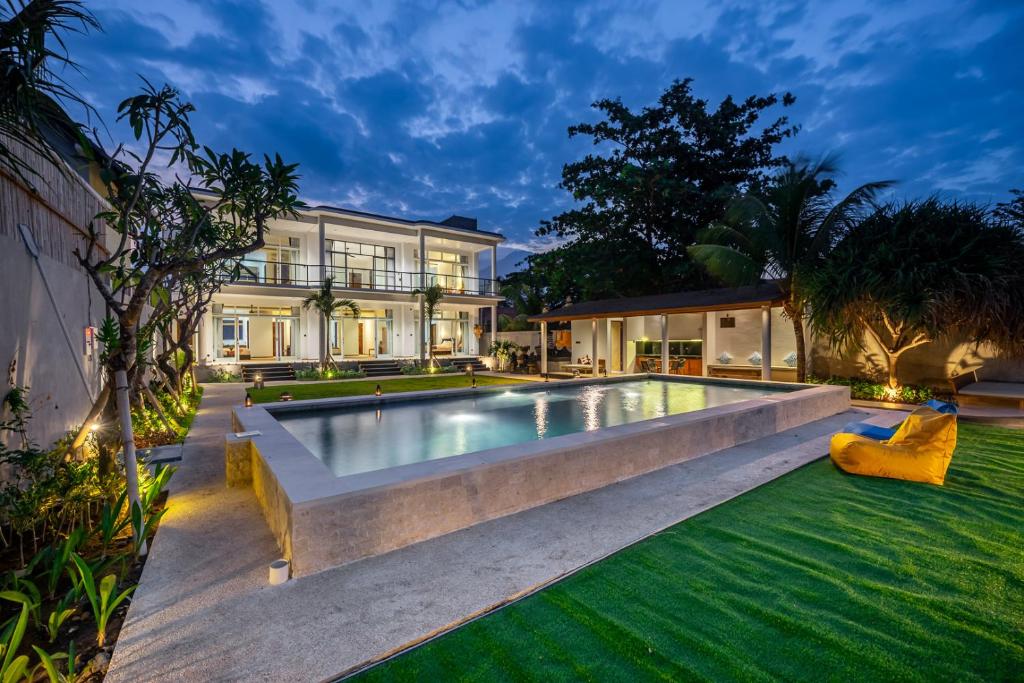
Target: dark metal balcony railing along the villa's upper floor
(303,275)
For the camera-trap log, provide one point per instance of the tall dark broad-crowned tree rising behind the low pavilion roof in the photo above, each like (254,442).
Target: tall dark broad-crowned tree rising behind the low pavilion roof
(656,179)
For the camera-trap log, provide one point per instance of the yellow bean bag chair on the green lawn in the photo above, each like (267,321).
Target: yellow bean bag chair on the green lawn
(920,451)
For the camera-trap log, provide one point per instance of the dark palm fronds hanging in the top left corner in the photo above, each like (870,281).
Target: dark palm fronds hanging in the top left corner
(32,91)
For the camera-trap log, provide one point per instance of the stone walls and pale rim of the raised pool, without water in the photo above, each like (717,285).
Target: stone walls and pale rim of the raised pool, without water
(323,522)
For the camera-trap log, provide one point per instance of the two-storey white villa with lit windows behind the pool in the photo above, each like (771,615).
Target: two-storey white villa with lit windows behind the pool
(375,261)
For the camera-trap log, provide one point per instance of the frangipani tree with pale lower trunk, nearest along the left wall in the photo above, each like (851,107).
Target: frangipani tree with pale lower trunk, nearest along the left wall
(158,231)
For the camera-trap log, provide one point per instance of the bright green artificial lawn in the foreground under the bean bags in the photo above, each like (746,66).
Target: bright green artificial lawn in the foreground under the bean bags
(817,576)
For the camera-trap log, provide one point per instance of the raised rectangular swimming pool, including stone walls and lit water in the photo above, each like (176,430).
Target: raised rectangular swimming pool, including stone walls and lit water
(339,480)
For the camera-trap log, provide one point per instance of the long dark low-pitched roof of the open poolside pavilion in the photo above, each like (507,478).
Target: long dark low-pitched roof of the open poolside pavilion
(679,303)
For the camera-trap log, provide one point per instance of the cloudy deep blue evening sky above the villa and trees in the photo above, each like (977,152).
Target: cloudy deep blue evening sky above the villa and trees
(422,110)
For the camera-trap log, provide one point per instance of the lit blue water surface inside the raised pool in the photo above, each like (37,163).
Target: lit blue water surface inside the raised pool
(365,439)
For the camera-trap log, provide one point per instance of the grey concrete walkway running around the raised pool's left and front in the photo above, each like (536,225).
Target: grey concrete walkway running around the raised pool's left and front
(204,611)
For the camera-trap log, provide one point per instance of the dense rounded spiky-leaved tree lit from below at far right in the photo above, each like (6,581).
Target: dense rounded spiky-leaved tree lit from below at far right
(915,273)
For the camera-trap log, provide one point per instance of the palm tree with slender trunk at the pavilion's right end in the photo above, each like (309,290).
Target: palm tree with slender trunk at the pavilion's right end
(785,235)
